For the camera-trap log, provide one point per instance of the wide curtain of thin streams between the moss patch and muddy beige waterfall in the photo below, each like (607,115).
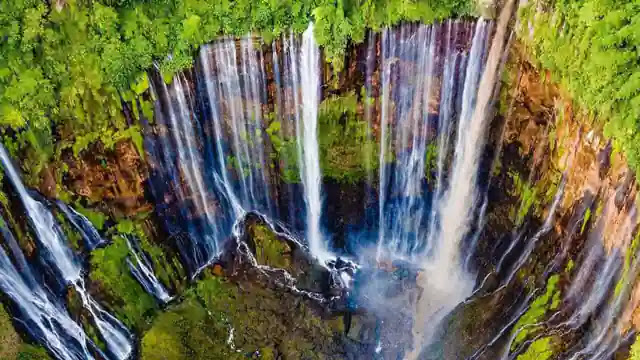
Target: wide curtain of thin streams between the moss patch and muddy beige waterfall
(408,224)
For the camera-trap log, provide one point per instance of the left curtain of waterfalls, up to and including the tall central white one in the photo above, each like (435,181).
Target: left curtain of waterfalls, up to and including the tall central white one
(212,157)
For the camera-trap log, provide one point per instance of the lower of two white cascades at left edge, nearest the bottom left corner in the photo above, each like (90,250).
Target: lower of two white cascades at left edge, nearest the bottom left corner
(39,311)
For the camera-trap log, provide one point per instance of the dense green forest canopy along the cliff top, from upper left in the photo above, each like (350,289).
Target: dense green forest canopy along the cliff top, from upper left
(69,67)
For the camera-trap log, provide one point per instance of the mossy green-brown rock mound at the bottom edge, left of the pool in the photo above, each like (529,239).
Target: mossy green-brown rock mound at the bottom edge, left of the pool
(262,320)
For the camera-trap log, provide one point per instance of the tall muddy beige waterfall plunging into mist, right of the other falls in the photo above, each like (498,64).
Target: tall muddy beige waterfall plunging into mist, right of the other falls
(446,281)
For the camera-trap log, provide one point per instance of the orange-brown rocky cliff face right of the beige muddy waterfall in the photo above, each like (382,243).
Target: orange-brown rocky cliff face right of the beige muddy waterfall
(558,190)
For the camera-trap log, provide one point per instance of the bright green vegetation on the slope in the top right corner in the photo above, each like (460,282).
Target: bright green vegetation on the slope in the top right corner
(591,47)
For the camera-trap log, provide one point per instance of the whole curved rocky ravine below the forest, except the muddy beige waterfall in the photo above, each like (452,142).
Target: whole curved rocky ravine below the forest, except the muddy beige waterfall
(551,245)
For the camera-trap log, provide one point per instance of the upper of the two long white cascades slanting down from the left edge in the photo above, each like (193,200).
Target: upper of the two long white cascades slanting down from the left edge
(54,251)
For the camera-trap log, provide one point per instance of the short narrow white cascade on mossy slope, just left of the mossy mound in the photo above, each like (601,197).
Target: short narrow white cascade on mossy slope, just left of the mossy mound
(142,271)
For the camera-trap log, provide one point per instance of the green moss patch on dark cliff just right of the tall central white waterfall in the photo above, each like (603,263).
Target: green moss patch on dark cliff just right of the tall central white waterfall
(347,153)
